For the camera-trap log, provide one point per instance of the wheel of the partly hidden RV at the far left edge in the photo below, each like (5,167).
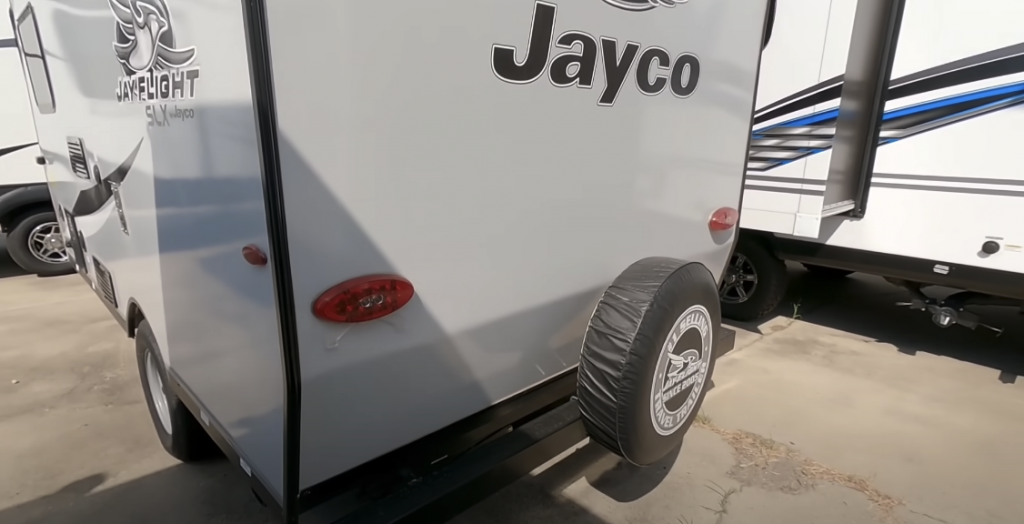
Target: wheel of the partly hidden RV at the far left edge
(36,245)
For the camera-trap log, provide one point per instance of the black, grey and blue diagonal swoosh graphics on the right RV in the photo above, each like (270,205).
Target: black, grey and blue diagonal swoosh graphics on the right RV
(782,144)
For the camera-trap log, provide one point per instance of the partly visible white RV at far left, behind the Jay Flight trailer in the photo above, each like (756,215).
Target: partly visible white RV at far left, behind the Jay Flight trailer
(27,217)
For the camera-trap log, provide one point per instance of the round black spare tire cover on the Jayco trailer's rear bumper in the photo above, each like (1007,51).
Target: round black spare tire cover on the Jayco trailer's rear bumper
(648,358)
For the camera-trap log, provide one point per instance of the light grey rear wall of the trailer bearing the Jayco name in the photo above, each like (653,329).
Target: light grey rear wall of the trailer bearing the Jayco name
(509,198)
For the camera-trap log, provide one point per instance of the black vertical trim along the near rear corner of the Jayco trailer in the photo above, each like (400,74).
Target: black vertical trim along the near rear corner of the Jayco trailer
(258,45)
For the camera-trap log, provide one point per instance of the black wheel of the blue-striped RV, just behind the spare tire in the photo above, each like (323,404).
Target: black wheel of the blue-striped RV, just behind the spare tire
(755,282)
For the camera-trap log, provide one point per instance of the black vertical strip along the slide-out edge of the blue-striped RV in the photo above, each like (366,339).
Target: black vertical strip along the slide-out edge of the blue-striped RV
(880,97)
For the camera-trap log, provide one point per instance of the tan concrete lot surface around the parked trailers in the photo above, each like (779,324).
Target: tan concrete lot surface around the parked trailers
(842,409)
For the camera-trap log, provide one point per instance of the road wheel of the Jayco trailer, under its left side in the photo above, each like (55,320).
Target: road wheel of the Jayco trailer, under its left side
(180,432)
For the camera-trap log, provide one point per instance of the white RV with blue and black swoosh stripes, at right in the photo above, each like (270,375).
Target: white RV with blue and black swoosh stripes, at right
(880,100)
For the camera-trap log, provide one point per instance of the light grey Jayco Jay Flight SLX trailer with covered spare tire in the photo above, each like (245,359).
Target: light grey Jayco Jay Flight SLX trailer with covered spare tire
(361,245)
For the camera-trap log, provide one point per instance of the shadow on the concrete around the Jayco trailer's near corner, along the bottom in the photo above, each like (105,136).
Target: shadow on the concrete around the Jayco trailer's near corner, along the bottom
(214,492)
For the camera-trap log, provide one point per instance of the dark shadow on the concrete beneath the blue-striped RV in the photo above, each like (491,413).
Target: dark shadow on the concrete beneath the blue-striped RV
(865,305)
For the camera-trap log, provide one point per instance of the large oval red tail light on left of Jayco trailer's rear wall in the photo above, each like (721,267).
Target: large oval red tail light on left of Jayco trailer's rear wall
(363,299)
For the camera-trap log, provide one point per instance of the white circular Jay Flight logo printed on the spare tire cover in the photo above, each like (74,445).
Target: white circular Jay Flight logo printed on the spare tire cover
(681,371)
